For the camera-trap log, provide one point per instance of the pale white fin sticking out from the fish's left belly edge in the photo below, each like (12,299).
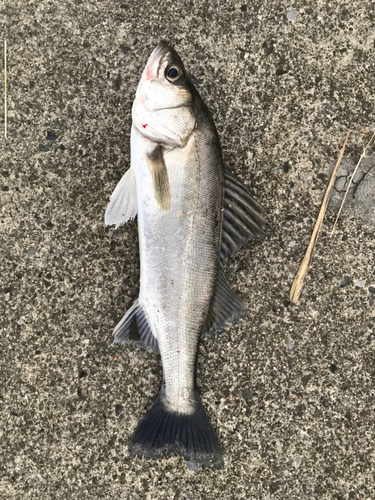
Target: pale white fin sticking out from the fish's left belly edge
(123,205)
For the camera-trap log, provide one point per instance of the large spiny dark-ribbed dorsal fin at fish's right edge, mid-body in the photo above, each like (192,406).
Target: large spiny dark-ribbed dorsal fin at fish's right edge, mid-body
(242,217)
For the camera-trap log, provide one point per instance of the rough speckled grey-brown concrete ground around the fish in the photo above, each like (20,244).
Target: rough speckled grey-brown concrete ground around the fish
(289,388)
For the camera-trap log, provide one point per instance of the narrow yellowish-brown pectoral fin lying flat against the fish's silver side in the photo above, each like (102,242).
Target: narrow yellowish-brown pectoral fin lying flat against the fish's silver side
(160,181)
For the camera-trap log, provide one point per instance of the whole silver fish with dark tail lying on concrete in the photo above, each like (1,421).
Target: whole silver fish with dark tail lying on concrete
(192,213)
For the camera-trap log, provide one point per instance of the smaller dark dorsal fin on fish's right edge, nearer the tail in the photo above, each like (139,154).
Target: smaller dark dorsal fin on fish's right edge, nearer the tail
(226,305)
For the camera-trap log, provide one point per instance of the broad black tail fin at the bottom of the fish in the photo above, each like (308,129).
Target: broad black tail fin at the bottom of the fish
(161,432)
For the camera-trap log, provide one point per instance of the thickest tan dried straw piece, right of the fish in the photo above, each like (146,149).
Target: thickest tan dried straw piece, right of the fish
(297,285)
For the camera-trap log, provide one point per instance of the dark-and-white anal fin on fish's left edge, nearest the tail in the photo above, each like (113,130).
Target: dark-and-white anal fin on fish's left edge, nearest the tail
(134,328)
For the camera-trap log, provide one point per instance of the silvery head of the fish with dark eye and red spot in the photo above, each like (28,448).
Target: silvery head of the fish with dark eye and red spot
(162,109)
